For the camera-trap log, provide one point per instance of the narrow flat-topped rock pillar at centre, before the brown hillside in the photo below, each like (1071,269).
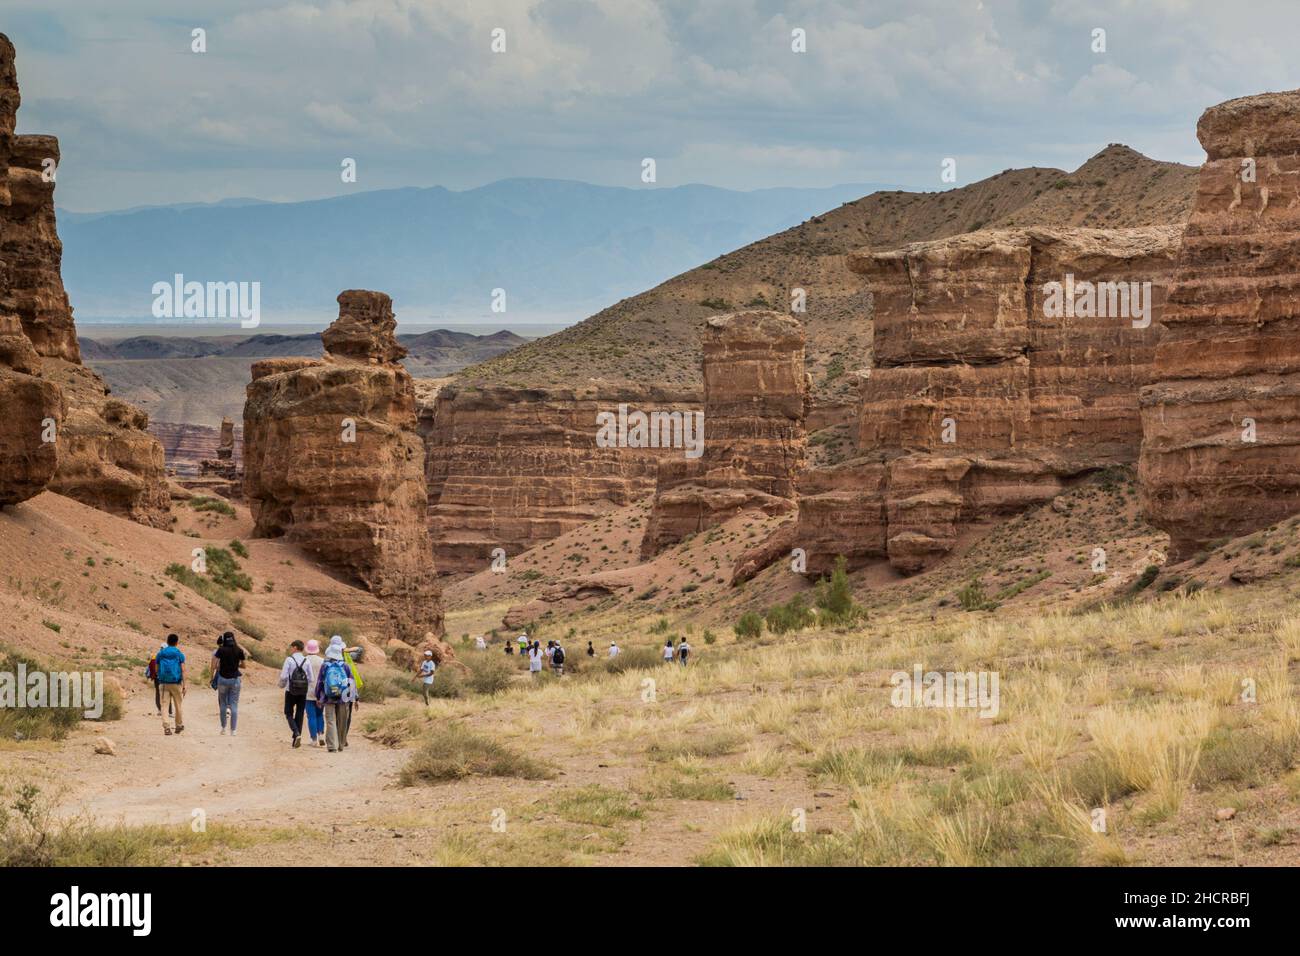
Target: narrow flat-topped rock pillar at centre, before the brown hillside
(756,399)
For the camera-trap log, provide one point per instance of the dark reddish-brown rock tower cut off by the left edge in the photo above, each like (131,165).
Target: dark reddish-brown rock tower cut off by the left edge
(97,449)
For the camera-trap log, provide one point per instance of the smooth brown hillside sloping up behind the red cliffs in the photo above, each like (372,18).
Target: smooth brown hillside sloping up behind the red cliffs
(653,339)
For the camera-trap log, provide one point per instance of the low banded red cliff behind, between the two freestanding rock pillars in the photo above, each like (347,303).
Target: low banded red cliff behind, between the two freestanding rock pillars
(512,468)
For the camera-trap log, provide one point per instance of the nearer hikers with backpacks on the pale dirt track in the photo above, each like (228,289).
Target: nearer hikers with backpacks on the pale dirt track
(323,690)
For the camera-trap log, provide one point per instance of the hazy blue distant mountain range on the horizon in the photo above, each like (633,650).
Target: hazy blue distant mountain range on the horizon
(552,245)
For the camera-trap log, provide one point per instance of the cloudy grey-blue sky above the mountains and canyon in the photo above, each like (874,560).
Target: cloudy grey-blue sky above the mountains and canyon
(712,90)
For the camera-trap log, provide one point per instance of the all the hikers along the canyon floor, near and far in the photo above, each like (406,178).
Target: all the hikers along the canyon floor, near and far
(323,690)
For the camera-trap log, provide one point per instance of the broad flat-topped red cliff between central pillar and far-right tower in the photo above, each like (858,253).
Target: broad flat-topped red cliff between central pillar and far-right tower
(1008,365)
